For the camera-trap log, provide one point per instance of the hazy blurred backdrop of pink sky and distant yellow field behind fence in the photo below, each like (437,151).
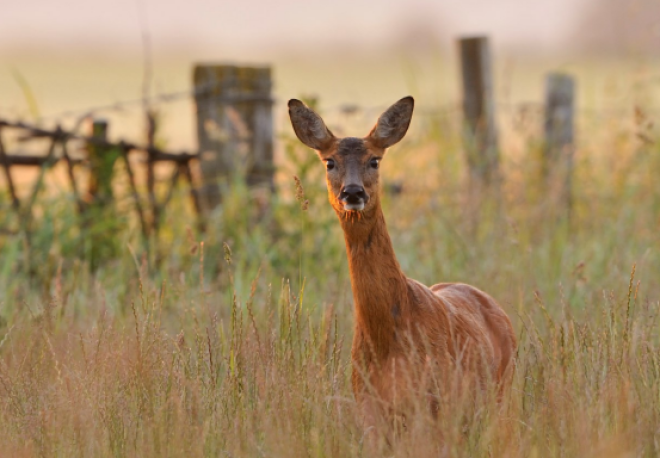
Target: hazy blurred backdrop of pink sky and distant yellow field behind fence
(75,54)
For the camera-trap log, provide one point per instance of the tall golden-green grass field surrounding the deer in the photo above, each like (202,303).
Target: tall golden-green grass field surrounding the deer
(238,342)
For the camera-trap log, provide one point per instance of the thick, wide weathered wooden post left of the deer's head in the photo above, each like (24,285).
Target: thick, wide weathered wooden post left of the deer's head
(234,126)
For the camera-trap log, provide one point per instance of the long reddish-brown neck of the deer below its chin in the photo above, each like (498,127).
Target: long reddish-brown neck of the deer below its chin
(379,286)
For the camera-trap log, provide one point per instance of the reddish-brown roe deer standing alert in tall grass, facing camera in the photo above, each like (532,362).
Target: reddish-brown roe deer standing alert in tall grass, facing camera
(402,328)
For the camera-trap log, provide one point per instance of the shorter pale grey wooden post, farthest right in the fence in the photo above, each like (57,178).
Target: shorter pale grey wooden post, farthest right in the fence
(559,137)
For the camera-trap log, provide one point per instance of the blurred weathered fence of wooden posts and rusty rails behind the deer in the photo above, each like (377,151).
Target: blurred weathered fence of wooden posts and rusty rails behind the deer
(234,124)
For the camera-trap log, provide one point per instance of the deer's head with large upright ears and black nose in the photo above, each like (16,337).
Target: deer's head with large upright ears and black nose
(352,163)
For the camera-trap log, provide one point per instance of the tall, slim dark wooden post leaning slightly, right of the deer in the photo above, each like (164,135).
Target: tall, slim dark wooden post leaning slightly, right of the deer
(480,132)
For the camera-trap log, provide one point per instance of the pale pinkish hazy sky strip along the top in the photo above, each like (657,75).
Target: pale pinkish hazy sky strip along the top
(259,26)
